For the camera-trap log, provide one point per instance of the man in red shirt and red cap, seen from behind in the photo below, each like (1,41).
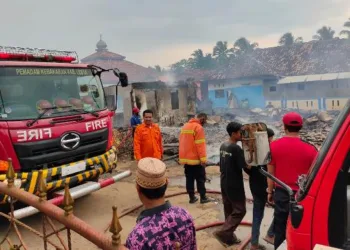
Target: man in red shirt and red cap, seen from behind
(291,157)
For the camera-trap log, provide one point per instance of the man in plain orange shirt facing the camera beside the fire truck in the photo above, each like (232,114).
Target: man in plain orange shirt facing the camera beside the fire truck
(148,138)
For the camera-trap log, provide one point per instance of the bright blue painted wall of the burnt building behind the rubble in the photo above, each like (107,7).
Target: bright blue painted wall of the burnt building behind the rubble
(254,95)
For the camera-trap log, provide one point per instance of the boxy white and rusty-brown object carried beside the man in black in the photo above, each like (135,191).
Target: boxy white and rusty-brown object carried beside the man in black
(255,144)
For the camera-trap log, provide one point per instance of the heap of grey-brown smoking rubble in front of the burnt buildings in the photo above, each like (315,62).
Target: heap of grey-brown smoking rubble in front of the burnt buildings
(317,126)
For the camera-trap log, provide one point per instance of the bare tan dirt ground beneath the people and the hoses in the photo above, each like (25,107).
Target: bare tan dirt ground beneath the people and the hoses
(96,209)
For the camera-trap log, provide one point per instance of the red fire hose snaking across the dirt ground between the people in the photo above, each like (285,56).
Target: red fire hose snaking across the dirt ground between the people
(242,245)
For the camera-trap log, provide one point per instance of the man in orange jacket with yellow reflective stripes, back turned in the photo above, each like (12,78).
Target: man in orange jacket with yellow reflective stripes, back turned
(193,155)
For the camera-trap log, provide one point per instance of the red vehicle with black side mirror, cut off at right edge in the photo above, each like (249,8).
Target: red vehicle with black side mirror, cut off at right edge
(320,211)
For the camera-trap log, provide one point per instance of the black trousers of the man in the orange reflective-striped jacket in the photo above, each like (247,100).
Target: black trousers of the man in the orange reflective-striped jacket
(195,173)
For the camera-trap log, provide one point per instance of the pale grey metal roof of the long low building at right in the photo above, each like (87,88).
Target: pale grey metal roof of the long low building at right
(312,78)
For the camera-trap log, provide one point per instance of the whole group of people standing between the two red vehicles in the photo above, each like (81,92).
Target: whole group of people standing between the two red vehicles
(164,226)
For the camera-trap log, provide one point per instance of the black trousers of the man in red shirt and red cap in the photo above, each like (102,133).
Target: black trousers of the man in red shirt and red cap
(281,199)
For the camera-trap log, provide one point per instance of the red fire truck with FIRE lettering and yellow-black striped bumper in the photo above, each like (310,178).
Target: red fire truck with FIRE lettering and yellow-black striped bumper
(53,117)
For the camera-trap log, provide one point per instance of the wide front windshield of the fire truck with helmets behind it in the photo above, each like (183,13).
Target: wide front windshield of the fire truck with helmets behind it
(27,92)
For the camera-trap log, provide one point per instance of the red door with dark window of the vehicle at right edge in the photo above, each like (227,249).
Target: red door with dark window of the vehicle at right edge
(331,210)
